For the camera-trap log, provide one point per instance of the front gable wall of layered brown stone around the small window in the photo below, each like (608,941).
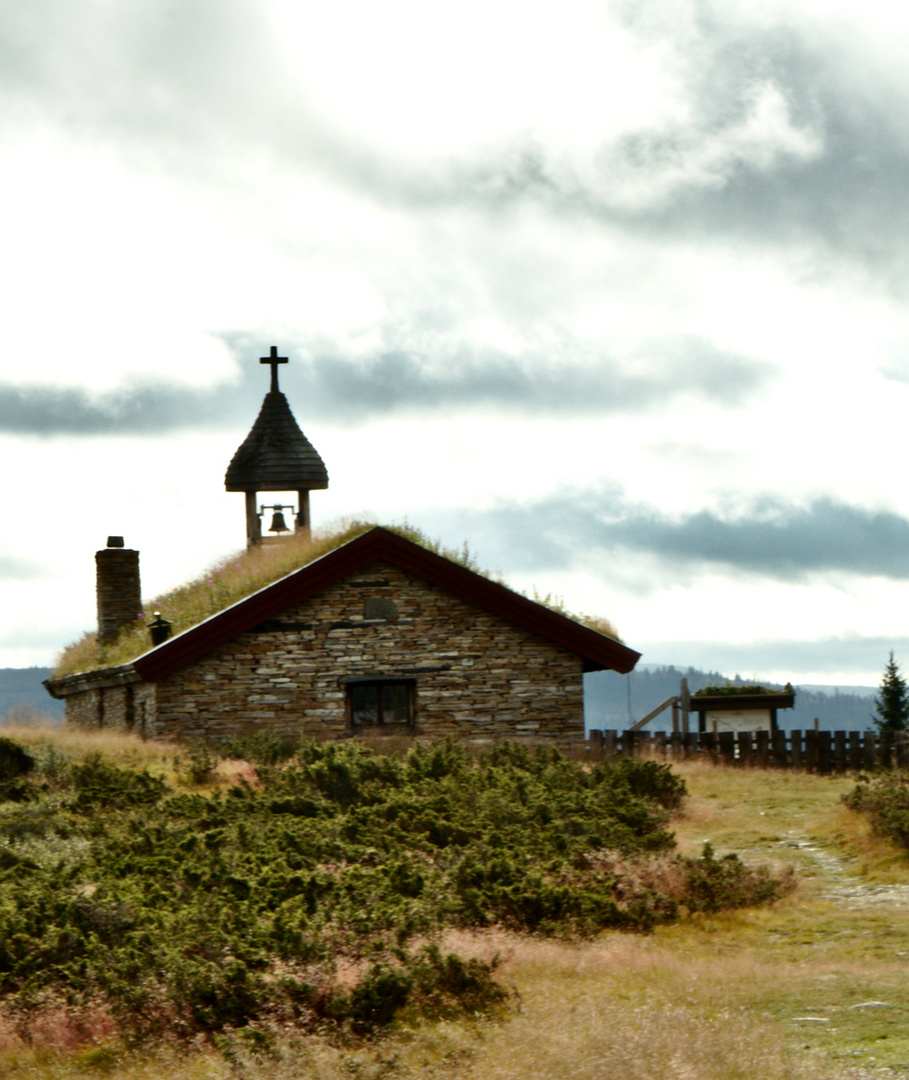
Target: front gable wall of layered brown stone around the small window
(476,674)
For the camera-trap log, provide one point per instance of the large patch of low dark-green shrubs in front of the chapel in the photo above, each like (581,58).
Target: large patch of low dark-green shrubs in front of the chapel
(316,895)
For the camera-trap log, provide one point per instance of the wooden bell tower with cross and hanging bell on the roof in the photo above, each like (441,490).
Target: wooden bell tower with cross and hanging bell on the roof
(276,456)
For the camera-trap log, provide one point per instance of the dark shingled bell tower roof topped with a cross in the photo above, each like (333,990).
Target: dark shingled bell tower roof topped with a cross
(276,456)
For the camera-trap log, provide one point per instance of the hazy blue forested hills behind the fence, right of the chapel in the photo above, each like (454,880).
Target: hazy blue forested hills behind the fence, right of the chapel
(612,699)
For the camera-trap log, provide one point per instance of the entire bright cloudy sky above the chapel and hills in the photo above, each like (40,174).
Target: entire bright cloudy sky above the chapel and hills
(615,292)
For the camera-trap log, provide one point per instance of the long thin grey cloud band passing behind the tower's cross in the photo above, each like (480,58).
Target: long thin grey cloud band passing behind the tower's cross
(340,389)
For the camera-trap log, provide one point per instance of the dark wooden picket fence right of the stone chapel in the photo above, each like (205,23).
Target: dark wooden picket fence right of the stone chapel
(812,751)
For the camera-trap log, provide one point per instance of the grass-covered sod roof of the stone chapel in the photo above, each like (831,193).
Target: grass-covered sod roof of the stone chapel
(243,574)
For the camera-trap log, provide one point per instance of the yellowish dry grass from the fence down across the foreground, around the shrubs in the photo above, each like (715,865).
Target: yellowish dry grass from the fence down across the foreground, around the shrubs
(770,994)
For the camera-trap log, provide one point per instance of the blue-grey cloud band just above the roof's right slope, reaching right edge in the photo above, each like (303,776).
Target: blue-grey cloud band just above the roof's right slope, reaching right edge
(770,537)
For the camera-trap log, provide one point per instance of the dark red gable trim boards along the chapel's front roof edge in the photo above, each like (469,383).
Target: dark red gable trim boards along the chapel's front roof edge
(598,651)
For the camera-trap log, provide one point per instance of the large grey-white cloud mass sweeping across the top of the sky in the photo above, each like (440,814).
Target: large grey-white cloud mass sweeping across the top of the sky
(765,128)
